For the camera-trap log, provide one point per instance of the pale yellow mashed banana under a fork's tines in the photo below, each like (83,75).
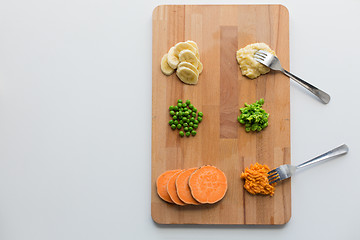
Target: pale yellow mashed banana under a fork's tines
(248,65)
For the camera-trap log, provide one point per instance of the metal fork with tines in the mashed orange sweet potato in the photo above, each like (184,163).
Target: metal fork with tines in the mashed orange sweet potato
(286,171)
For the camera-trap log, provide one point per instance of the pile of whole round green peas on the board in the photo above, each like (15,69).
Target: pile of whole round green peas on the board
(185,118)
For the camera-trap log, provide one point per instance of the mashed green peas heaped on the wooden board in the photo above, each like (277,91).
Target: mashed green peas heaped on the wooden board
(253,116)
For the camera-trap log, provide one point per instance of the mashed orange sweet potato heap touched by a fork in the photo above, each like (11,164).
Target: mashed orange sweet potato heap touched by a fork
(256,181)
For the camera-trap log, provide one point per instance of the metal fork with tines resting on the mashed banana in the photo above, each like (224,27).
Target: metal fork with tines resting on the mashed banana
(273,62)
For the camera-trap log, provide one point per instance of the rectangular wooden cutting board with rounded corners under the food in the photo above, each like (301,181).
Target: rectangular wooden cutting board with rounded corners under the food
(219,32)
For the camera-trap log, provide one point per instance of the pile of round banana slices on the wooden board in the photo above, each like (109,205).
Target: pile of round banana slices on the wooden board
(185,58)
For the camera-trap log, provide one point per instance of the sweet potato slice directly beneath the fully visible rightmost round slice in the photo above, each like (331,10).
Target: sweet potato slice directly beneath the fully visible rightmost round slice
(182,187)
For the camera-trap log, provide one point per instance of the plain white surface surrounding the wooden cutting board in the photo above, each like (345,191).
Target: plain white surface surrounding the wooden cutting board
(75,122)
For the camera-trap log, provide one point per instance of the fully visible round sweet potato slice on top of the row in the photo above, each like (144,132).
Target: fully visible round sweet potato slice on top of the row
(208,184)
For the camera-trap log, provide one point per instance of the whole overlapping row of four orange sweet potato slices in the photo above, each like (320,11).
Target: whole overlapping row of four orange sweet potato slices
(192,186)
